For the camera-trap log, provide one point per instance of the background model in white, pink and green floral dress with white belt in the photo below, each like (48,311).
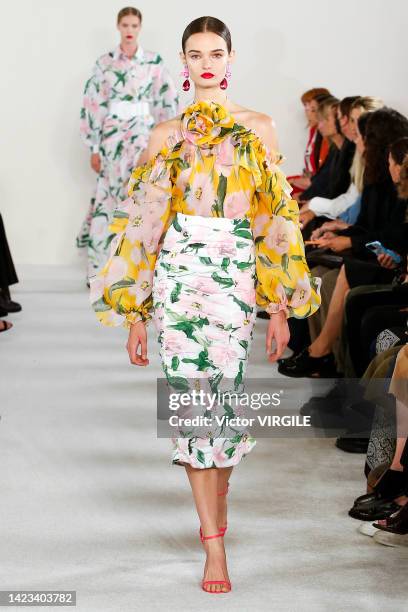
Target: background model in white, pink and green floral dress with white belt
(128,93)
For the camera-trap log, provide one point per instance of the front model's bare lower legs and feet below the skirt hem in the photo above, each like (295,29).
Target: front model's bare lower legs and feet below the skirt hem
(204,484)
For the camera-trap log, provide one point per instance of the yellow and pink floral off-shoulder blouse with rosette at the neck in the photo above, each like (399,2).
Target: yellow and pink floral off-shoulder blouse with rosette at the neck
(214,167)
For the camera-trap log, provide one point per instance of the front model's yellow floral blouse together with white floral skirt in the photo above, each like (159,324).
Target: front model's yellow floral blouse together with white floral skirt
(209,232)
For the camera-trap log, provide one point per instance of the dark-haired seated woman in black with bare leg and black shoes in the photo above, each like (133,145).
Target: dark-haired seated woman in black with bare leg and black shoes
(381,216)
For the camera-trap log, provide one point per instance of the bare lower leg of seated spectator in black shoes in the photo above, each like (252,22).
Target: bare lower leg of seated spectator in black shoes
(323,344)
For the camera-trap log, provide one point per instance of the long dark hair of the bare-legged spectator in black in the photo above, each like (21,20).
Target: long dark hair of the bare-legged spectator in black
(384,126)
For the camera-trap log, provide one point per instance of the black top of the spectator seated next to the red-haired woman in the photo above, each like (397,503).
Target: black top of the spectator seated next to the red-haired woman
(333,178)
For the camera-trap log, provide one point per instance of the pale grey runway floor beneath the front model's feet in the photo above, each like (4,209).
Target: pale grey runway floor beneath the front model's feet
(90,501)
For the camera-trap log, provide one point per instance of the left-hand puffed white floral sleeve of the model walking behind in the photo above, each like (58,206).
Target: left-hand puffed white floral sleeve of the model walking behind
(94,108)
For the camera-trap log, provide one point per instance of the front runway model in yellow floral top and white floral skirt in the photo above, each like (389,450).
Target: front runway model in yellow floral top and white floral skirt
(209,231)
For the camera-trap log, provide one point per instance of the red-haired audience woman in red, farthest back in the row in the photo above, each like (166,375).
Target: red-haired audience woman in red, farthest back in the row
(317,147)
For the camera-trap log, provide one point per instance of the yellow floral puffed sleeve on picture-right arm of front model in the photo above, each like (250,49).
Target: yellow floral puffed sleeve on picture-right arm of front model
(284,281)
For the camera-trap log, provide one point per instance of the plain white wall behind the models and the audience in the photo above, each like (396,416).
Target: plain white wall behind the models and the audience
(48,48)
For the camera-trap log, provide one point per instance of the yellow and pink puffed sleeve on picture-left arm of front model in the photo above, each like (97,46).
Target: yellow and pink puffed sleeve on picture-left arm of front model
(121,294)
